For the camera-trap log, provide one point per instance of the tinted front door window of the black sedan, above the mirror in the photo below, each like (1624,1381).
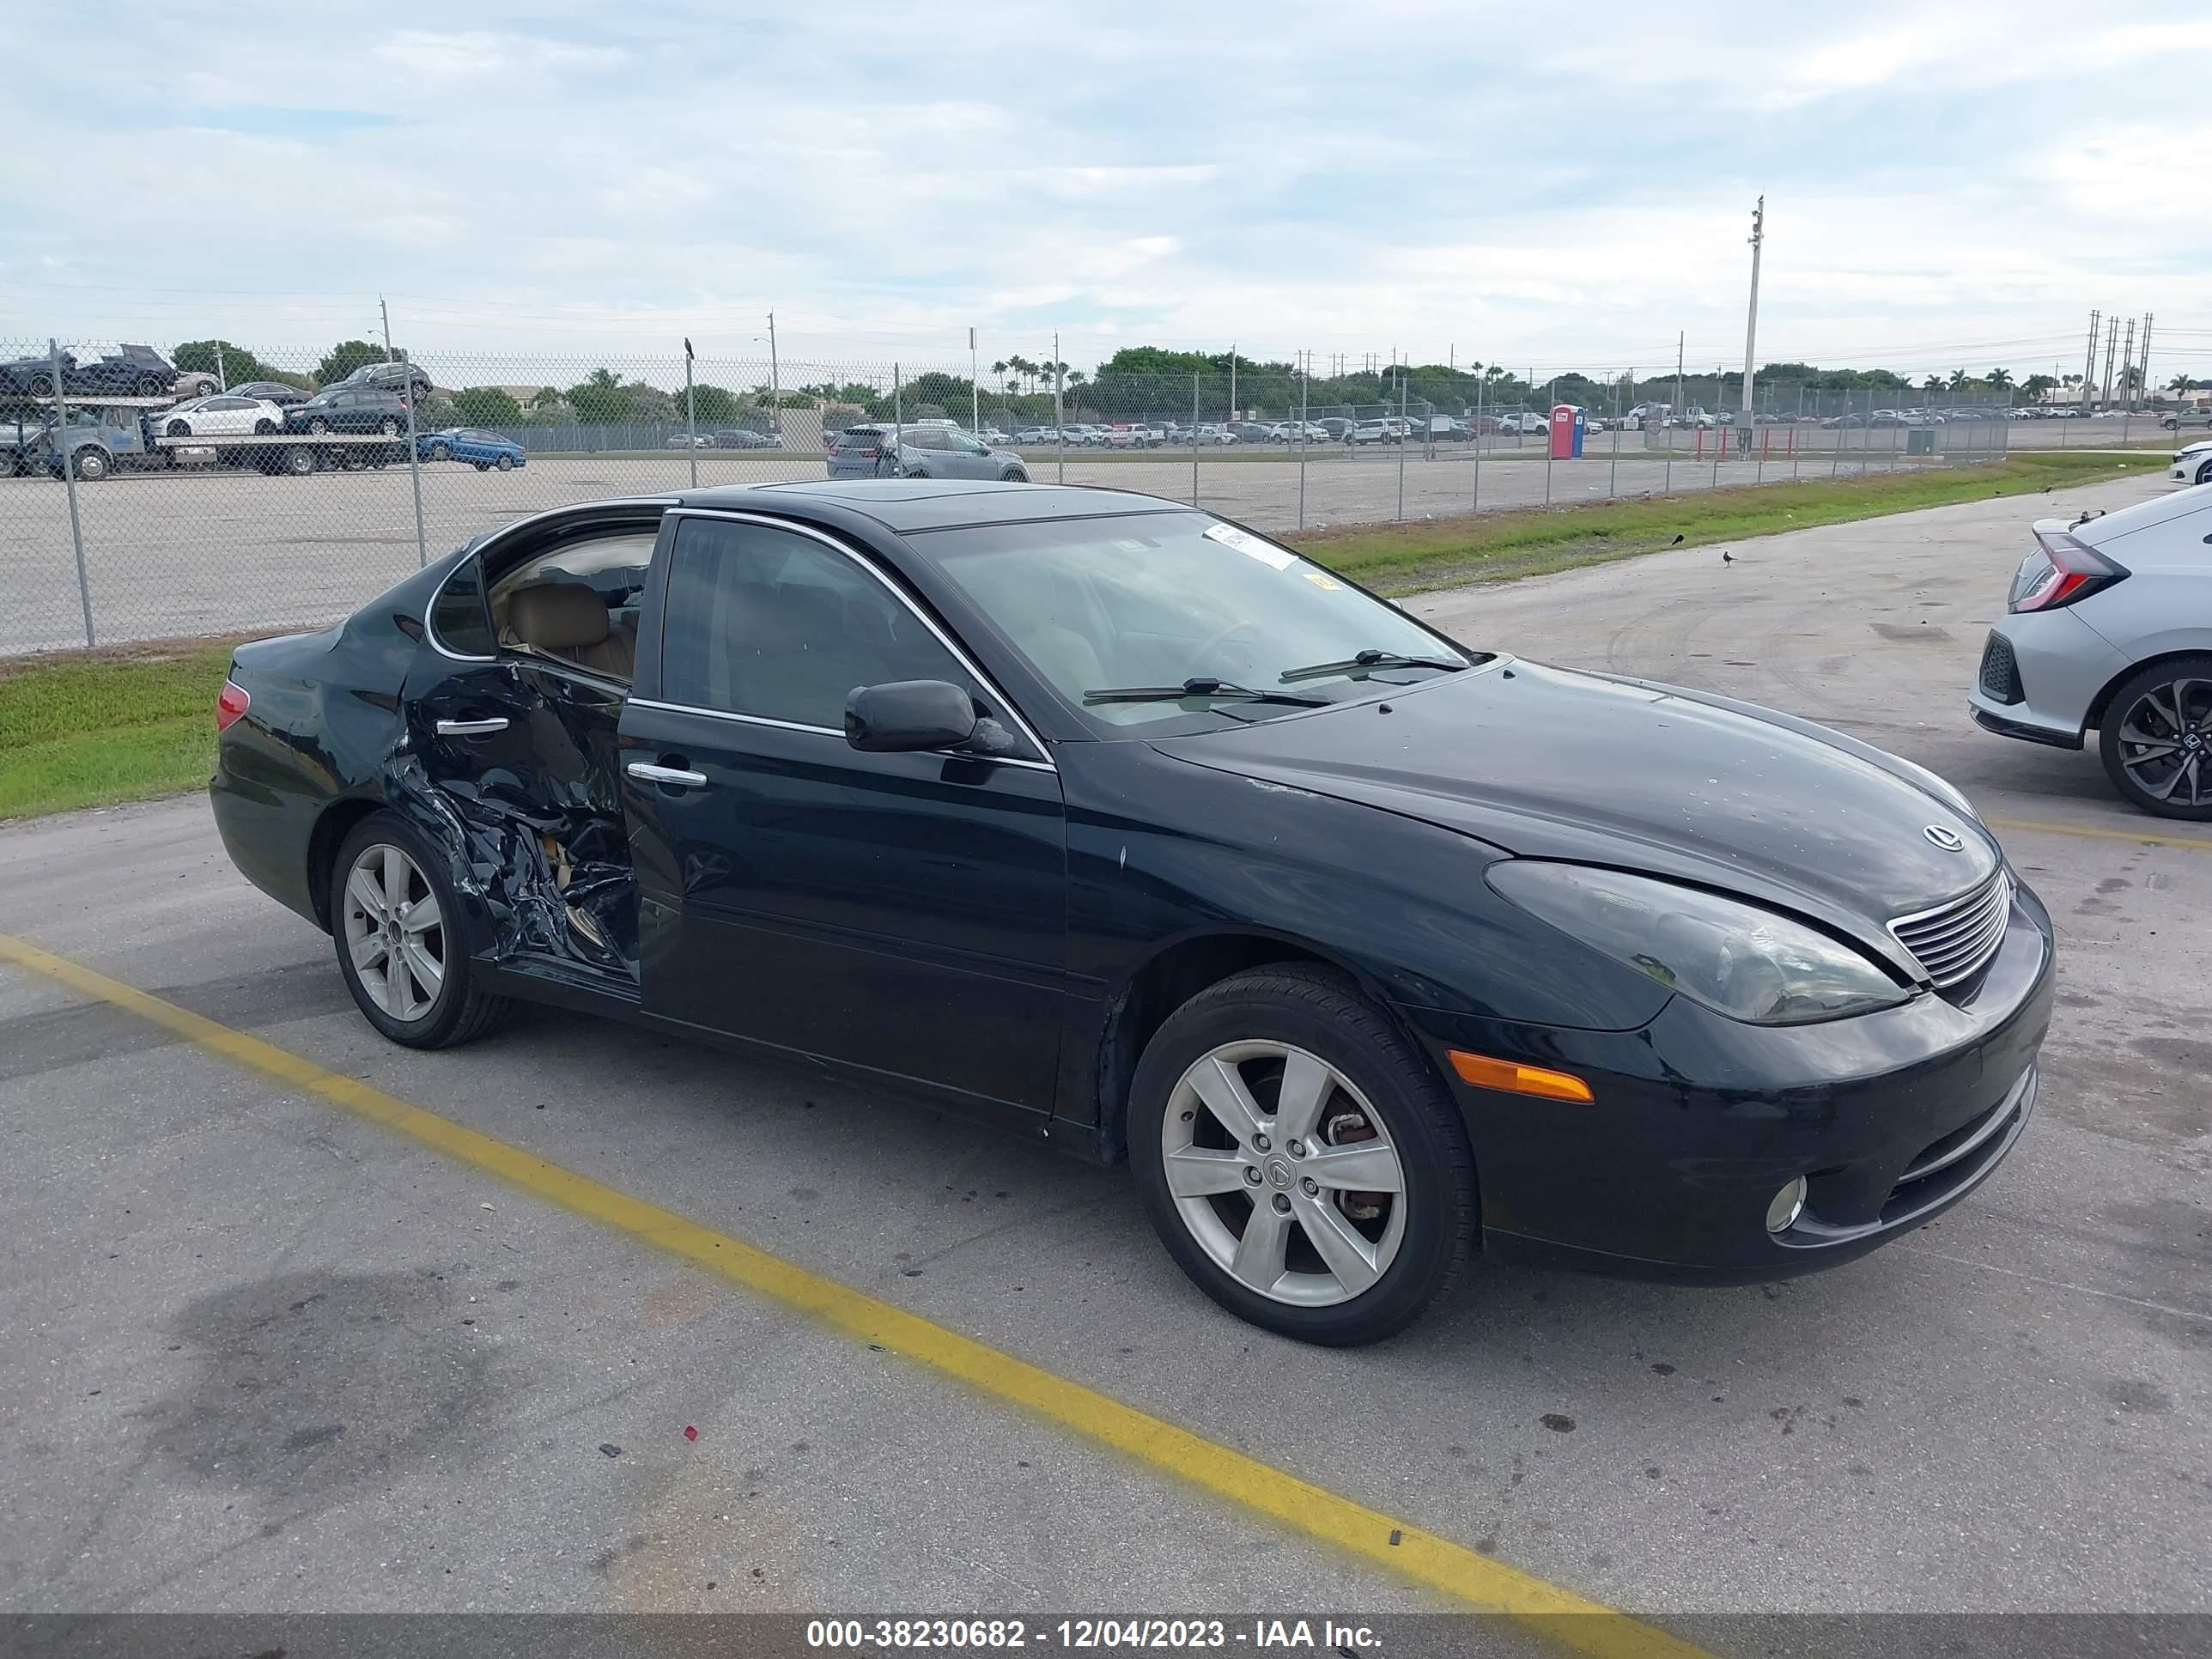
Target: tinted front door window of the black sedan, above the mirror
(780,627)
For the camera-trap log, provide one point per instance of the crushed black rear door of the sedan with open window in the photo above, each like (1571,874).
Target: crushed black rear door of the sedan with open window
(517,744)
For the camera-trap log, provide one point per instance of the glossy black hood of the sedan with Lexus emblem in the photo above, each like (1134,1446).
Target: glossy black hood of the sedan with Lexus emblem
(1669,782)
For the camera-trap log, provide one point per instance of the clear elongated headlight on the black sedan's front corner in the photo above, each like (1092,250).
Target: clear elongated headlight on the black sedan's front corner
(1733,957)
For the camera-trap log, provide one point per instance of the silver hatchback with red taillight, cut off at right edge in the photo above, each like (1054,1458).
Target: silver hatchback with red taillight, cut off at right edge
(2111,627)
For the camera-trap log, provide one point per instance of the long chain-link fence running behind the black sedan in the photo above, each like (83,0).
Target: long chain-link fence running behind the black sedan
(218,490)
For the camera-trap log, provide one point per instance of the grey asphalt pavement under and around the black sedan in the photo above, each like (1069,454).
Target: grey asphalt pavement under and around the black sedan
(273,1355)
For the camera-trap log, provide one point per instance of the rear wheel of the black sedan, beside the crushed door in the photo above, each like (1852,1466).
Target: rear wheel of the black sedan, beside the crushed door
(401,950)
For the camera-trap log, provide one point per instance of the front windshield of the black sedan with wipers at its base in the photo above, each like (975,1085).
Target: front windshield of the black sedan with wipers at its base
(1158,601)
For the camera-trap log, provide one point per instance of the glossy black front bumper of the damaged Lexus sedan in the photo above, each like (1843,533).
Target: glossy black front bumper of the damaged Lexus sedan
(1700,1120)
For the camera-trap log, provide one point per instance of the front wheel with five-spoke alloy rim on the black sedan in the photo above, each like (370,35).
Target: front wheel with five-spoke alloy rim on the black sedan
(1300,1158)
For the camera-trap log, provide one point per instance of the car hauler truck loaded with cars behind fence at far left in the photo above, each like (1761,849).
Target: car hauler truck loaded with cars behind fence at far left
(107,437)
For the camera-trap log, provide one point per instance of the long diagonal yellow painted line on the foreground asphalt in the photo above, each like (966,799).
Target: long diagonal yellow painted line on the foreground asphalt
(1315,1512)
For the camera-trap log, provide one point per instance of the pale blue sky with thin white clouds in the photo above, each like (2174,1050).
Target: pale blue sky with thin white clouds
(1545,185)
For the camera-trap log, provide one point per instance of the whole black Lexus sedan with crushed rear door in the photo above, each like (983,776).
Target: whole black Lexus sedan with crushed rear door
(1123,826)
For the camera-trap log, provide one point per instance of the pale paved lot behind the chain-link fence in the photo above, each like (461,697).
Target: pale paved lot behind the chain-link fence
(180,554)
